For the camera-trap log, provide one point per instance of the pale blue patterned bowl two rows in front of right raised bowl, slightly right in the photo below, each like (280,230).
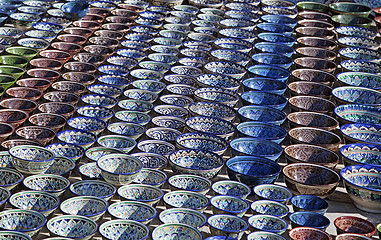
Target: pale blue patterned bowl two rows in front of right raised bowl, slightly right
(132,210)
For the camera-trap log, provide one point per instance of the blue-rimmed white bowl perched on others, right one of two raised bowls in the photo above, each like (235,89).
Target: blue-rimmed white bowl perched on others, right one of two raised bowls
(119,169)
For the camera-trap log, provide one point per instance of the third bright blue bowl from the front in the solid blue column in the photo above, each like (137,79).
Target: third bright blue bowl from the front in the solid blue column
(267,131)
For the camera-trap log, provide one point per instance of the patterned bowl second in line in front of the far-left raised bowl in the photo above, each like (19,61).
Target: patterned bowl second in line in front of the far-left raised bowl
(44,203)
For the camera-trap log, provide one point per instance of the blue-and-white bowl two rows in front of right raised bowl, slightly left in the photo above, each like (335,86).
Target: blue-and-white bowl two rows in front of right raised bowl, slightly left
(87,206)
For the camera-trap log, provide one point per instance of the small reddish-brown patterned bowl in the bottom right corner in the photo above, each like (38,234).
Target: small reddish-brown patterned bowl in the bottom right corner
(351,224)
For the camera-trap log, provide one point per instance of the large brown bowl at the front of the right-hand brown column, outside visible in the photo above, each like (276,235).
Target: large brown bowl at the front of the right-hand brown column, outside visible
(323,187)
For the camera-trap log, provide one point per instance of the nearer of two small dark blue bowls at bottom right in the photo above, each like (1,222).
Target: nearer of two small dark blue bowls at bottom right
(309,219)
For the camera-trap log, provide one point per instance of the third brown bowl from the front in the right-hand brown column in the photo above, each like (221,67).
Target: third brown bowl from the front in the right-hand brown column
(315,136)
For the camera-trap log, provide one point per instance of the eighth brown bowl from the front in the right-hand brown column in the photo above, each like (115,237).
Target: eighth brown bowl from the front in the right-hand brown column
(315,63)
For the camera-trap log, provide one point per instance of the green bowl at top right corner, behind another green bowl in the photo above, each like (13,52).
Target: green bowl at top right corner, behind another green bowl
(350,8)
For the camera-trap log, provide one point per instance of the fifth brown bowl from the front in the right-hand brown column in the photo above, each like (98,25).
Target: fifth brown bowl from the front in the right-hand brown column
(312,104)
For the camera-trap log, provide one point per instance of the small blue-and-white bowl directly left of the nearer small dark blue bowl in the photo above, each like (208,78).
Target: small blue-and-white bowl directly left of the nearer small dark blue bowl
(268,223)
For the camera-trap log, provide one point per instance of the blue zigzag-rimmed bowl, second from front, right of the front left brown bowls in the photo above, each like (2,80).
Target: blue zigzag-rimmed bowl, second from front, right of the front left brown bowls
(80,138)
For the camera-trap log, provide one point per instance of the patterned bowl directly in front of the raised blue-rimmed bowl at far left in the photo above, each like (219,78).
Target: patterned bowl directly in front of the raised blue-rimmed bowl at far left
(49,183)
